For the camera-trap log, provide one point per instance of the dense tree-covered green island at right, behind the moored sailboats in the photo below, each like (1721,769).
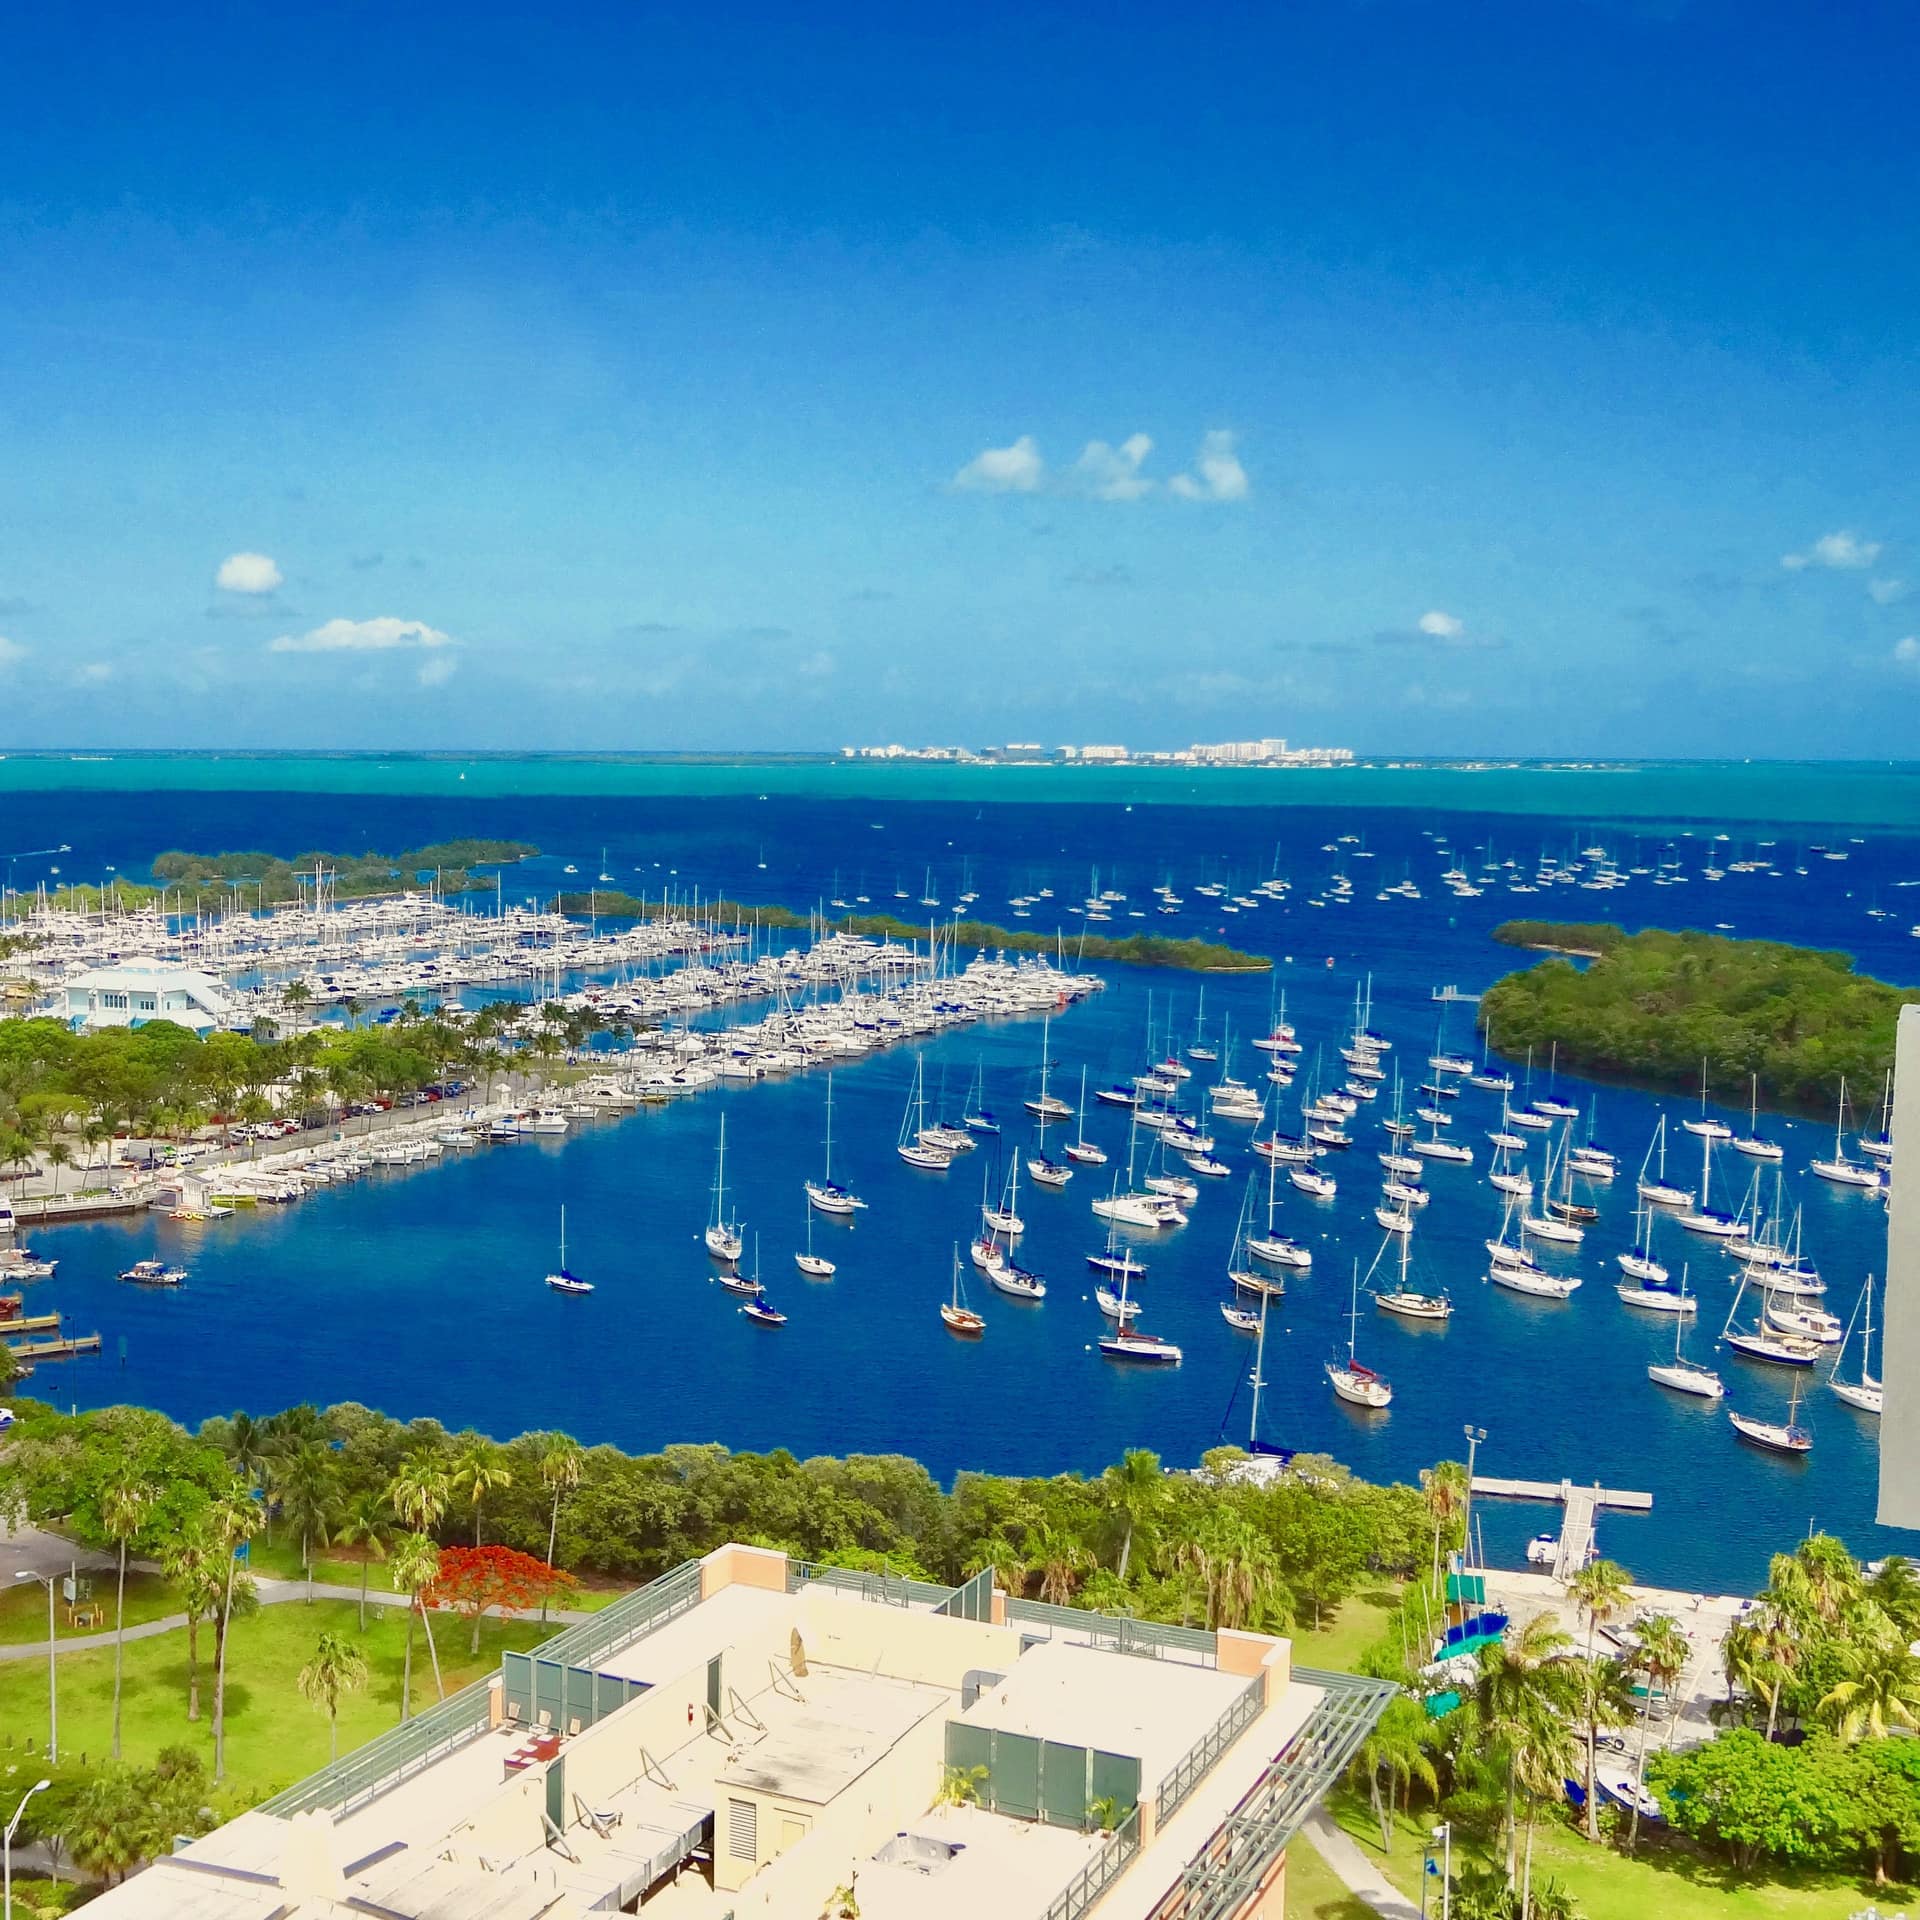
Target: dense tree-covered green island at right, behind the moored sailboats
(1650,1007)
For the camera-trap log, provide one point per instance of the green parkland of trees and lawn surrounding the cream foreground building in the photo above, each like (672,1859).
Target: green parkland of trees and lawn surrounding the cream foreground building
(393,1560)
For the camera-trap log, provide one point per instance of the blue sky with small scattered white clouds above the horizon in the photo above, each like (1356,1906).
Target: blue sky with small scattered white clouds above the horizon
(1429,379)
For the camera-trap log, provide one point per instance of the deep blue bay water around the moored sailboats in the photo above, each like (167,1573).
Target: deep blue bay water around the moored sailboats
(420,1291)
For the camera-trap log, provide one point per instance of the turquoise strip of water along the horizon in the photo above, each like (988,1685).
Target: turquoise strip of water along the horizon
(1883,796)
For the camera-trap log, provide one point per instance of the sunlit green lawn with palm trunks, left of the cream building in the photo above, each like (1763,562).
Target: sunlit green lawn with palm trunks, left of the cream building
(274,1737)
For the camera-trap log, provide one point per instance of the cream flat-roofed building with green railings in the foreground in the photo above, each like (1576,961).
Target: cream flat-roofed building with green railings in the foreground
(754,1739)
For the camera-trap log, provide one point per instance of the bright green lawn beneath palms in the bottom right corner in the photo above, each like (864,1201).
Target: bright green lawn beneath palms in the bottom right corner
(1673,1883)
